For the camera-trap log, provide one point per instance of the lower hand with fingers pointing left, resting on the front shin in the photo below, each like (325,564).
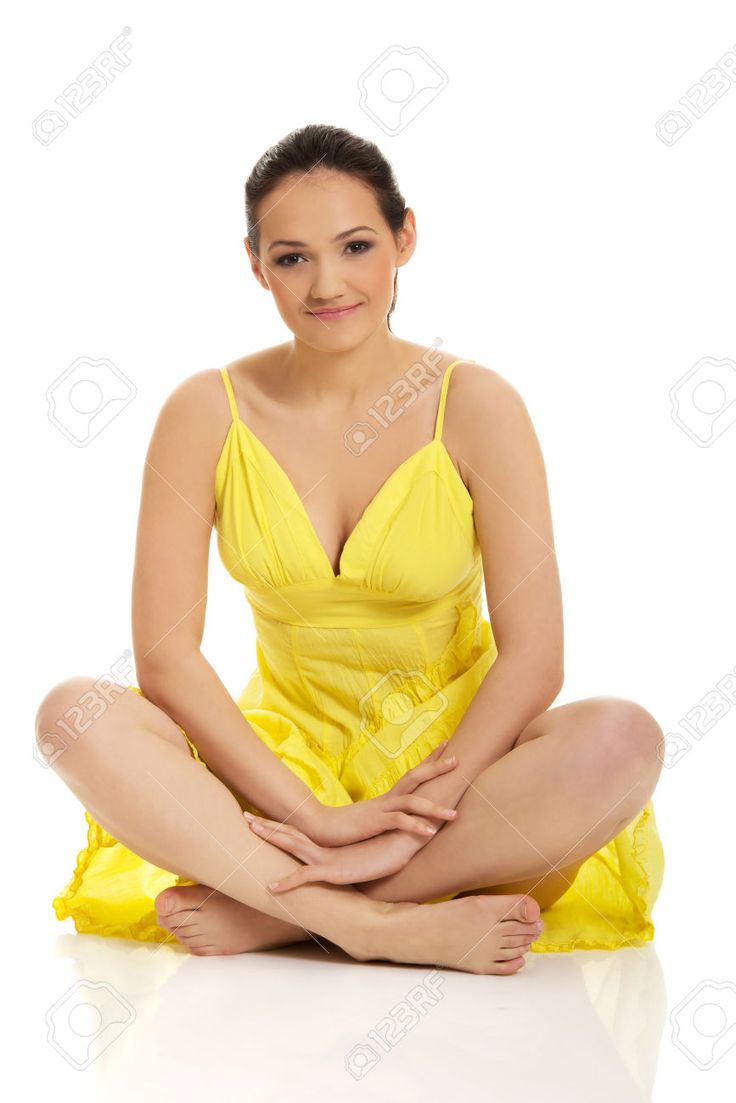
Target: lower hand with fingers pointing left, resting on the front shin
(342,865)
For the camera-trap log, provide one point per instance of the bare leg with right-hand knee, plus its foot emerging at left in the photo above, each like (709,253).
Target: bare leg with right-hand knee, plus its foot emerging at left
(595,747)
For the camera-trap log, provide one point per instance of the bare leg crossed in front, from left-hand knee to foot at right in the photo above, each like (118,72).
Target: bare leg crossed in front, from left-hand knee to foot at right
(152,796)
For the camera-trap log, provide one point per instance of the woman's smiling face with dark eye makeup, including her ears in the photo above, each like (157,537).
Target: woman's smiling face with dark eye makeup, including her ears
(324,244)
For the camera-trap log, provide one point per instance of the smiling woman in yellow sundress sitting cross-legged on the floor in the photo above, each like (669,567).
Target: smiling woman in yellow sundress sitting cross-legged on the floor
(362,502)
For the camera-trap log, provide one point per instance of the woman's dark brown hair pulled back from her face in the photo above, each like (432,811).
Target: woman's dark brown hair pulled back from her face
(325,147)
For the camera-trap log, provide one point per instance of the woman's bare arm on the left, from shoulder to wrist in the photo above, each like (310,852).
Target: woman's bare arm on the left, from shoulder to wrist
(169,601)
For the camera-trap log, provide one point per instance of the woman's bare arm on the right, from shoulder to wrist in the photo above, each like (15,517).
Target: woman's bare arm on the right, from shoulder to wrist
(503,464)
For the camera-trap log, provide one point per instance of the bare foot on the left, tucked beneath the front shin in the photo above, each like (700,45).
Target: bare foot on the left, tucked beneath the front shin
(209,923)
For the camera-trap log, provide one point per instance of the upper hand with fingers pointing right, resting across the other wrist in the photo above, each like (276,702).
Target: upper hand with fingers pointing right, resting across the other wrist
(351,823)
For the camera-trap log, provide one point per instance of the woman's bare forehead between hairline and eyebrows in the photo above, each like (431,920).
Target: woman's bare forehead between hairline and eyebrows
(316,207)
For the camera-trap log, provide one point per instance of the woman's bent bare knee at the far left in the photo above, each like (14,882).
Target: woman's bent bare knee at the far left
(68,711)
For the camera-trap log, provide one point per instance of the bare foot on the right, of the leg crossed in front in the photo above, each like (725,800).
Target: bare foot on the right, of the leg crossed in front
(476,934)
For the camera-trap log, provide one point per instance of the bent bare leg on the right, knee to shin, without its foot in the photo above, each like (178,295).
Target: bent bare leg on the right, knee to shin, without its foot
(577,776)
